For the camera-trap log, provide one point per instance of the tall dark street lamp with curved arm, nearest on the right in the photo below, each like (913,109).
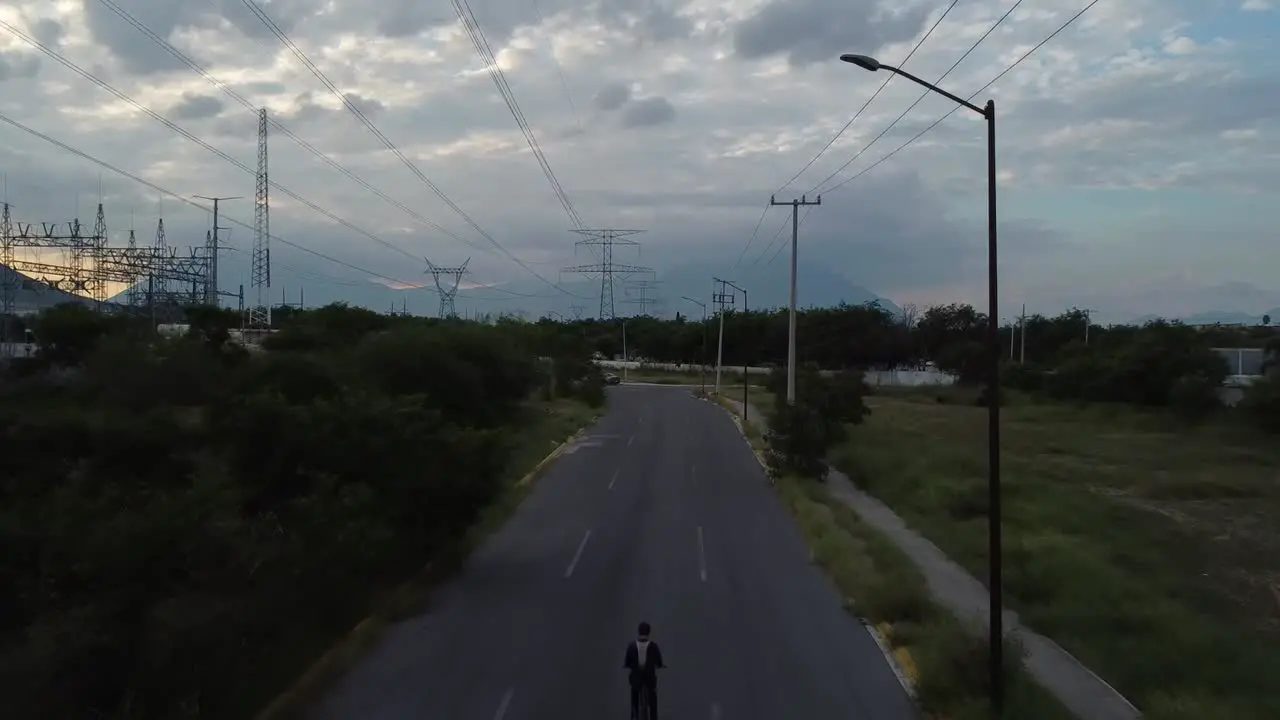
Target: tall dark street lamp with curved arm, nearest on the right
(994,352)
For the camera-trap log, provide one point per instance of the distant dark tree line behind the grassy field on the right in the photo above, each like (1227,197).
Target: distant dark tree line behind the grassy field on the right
(1159,363)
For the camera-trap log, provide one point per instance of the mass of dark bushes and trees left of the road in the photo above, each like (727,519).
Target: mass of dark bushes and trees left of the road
(186,521)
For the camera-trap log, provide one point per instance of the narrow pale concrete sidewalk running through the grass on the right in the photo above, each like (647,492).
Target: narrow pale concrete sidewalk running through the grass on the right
(1076,686)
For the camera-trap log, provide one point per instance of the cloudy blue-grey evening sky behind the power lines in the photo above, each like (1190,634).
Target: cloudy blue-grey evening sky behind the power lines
(1137,149)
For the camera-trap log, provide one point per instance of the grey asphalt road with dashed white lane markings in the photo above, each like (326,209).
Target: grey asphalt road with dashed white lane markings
(662,513)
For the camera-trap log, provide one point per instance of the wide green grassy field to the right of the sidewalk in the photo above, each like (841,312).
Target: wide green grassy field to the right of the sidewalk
(1149,550)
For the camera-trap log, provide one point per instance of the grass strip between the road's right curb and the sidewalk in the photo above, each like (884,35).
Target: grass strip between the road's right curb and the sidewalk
(945,663)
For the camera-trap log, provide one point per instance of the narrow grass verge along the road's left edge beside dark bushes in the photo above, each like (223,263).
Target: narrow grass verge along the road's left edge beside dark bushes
(550,423)
